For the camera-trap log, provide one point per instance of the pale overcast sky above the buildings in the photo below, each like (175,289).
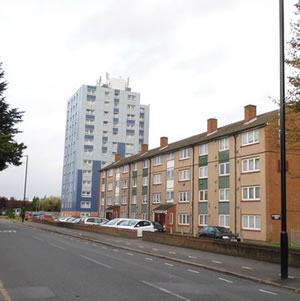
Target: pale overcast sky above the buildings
(191,60)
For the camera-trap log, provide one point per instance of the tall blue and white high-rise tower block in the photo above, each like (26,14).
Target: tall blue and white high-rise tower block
(101,121)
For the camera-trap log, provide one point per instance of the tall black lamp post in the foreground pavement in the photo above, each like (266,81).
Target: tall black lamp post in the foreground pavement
(283,234)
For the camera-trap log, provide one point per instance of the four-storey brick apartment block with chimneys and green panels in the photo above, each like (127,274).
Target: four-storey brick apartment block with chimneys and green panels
(227,176)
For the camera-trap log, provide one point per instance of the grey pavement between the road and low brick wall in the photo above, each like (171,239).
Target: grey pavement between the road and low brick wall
(258,271)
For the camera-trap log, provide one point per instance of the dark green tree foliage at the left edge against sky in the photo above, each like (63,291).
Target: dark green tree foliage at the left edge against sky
(11,152)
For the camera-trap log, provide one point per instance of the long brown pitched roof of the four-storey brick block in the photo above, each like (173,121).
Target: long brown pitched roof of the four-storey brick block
(227,130)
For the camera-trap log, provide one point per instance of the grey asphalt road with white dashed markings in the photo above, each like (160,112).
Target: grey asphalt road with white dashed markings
(40,265)
